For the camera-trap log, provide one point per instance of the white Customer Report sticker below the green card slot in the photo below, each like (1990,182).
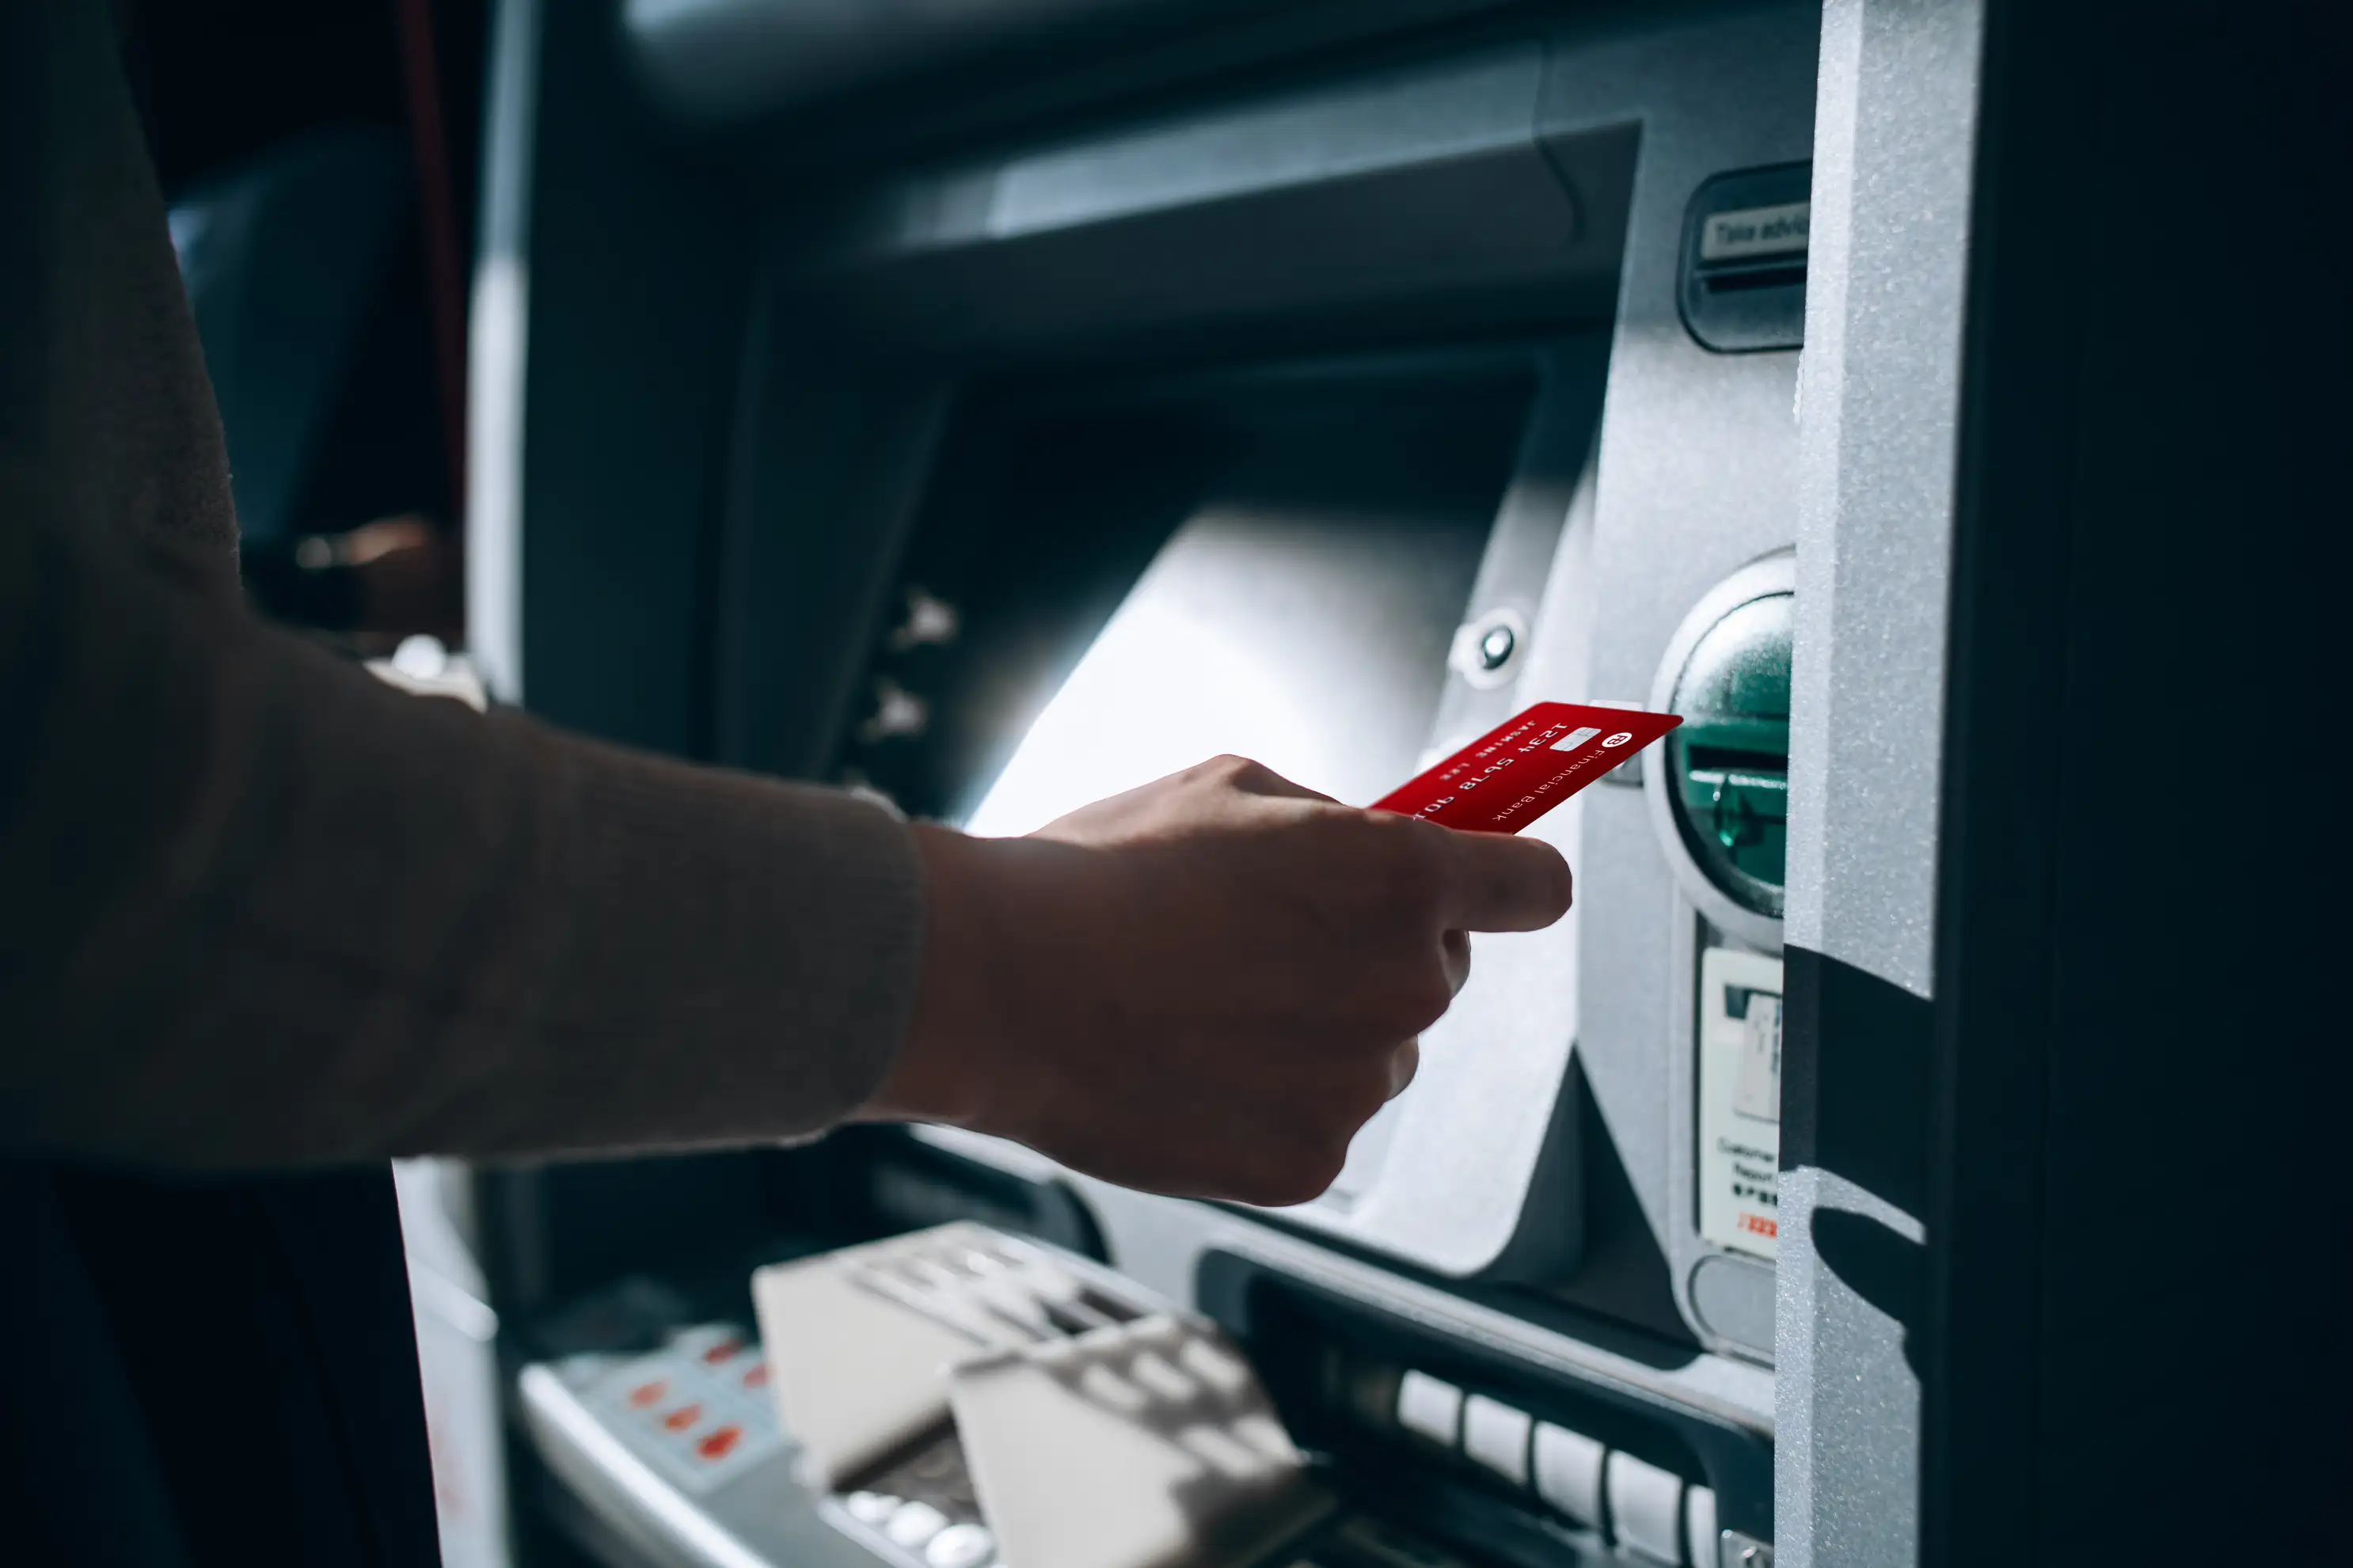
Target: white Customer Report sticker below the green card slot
(1740,1101)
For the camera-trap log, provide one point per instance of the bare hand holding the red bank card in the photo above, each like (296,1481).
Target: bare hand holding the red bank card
(1204,986)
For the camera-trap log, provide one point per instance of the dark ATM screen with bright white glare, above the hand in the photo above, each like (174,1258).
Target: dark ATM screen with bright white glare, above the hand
(1265,570)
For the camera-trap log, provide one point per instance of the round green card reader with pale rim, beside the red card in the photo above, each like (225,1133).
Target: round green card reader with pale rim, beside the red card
(1721,803)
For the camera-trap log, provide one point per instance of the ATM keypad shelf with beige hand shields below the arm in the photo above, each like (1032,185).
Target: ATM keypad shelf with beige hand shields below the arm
(959,1398)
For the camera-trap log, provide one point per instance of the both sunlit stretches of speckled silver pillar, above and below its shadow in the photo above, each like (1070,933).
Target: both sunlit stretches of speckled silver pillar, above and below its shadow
(1893,168)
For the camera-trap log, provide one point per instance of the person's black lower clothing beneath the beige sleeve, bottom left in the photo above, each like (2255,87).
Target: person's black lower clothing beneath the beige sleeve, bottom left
(260,1329)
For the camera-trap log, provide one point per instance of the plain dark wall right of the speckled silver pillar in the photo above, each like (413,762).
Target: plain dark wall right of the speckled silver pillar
(2128,974)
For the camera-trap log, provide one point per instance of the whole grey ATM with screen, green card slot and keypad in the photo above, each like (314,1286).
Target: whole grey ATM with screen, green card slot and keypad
(1001,410)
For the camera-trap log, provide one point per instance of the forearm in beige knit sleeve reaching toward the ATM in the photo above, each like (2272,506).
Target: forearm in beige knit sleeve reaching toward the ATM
(265,911)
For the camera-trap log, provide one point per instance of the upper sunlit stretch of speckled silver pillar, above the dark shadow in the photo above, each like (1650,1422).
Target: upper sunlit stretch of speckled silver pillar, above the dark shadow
(1881,401)
